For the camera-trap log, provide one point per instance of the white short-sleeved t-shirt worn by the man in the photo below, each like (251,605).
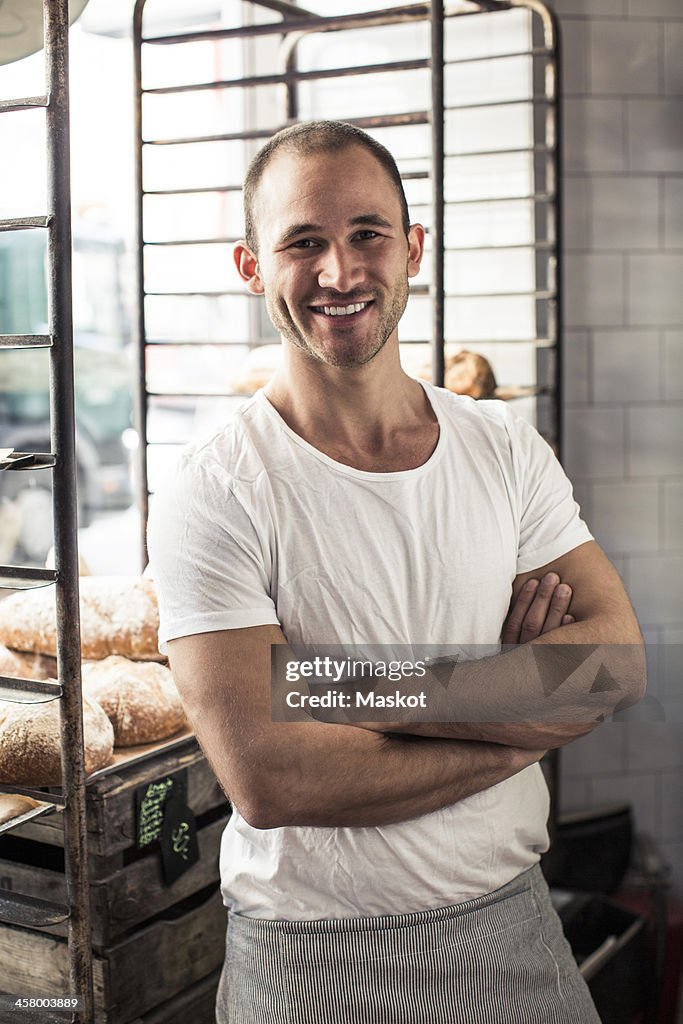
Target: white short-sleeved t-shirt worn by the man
(261,528)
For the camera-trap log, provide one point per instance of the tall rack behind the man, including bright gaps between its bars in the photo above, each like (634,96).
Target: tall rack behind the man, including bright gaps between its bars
(458,120)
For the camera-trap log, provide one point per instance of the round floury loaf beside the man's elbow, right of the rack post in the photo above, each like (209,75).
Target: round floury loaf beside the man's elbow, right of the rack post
(140,699)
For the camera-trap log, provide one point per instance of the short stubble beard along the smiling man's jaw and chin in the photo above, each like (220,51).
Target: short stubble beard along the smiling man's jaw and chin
(339,356)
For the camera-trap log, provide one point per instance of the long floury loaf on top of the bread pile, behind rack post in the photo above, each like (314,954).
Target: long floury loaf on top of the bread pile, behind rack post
(119,616)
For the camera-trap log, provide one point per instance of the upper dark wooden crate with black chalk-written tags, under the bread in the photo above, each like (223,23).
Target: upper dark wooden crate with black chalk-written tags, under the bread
(127,885)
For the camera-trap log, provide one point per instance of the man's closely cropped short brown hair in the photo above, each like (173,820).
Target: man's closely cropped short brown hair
(317,137)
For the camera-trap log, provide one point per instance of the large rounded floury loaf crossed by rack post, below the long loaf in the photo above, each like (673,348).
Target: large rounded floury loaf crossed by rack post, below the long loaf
(30,747)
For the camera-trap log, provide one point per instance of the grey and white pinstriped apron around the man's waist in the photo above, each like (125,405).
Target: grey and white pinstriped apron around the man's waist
(500,959)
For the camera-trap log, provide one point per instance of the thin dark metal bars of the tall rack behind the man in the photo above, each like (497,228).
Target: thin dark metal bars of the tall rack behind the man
(296,25)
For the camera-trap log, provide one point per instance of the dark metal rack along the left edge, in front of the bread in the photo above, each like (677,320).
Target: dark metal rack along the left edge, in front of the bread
(17,909)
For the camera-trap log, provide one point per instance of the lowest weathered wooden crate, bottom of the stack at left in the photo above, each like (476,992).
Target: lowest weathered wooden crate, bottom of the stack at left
(152,966)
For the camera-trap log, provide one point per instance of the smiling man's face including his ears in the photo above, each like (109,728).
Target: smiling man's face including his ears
(333,260)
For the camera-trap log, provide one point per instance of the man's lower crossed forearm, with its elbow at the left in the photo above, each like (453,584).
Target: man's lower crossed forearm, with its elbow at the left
(329,776)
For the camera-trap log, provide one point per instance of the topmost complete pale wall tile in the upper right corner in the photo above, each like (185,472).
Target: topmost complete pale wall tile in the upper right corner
(624,58)
